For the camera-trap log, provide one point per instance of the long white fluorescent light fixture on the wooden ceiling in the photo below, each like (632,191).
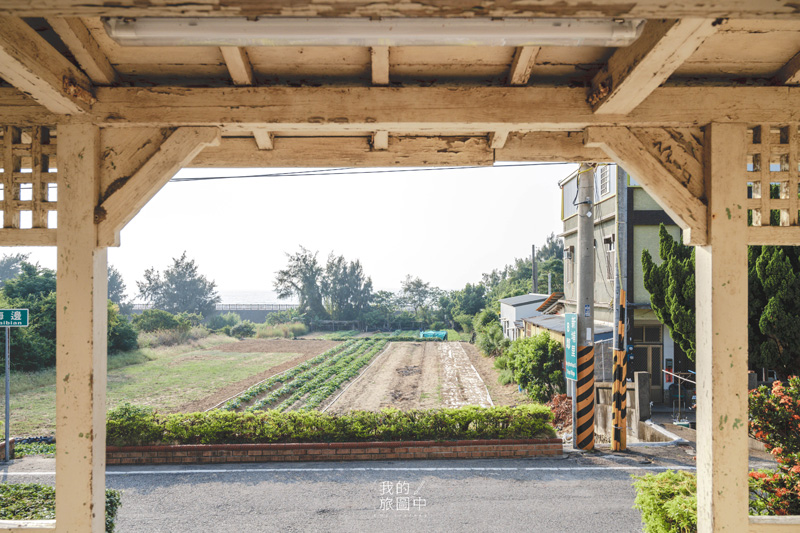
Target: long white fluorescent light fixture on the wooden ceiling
(367,32)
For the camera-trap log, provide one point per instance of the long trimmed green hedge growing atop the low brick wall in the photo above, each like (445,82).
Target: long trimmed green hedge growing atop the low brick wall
(130,425)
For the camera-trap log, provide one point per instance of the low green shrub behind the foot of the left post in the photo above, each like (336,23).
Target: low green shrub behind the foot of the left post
(32,501)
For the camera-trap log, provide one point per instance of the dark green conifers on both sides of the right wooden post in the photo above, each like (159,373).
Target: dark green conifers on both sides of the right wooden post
(773,308)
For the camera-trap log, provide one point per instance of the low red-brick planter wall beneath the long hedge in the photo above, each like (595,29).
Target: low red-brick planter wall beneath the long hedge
(337,451)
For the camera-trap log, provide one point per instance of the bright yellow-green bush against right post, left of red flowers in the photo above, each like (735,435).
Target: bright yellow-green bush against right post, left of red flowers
(668,501)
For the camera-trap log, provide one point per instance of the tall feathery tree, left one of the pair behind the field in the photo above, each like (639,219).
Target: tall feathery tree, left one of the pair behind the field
(302,278)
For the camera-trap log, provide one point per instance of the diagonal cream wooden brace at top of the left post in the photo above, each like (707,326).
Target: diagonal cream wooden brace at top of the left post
(122,204)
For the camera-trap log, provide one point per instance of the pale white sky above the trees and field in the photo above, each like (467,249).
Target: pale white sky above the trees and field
(444,226)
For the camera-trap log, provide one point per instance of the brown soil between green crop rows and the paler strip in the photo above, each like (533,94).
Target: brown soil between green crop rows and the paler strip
(405,376)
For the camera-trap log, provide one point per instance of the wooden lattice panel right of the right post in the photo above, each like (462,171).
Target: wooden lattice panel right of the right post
(772,176)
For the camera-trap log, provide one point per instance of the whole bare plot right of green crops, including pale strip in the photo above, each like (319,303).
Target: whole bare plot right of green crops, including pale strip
(416,376)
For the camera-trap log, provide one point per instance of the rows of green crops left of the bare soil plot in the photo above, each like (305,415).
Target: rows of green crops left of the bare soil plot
(308,385)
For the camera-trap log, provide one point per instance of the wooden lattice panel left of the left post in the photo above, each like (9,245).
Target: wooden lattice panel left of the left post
(28,198)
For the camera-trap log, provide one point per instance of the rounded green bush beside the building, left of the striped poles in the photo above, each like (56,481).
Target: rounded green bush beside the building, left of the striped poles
(536,364)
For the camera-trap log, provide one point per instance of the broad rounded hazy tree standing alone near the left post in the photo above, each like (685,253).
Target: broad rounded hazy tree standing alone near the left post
(181,288)
